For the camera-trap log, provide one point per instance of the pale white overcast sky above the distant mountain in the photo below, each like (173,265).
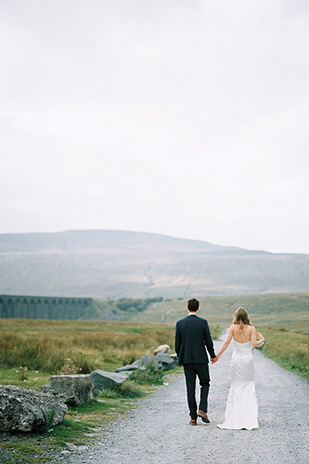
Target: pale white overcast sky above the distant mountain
(182,117)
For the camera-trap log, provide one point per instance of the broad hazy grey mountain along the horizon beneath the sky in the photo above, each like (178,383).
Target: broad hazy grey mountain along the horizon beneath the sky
(115,264)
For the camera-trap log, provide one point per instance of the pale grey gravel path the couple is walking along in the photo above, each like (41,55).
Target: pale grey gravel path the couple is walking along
(157,431)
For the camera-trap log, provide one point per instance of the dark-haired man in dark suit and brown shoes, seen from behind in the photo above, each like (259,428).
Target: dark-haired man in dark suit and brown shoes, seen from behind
(192,334)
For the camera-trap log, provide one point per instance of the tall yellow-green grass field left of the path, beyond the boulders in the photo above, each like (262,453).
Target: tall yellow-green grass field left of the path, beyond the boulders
(47,345)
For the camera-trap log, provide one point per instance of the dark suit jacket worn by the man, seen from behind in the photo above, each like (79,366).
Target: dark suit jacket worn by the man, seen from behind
(192,334)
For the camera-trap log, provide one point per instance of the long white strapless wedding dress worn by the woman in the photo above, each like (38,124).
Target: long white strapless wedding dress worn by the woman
(241,408)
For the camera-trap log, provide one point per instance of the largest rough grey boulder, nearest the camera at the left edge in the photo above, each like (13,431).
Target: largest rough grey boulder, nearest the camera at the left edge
(25,410)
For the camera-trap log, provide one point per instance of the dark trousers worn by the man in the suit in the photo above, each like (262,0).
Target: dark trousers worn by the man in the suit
(202,371)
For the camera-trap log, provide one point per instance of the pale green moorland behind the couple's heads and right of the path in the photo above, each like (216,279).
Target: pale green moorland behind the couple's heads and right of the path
(282,318)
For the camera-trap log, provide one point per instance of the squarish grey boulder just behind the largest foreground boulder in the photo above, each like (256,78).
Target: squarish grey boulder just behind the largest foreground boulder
(73,390)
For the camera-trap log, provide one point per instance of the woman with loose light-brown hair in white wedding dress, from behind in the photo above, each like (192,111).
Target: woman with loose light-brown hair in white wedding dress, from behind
(241,408)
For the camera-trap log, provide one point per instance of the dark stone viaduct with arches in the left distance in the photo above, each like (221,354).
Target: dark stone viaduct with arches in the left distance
(41,307)
